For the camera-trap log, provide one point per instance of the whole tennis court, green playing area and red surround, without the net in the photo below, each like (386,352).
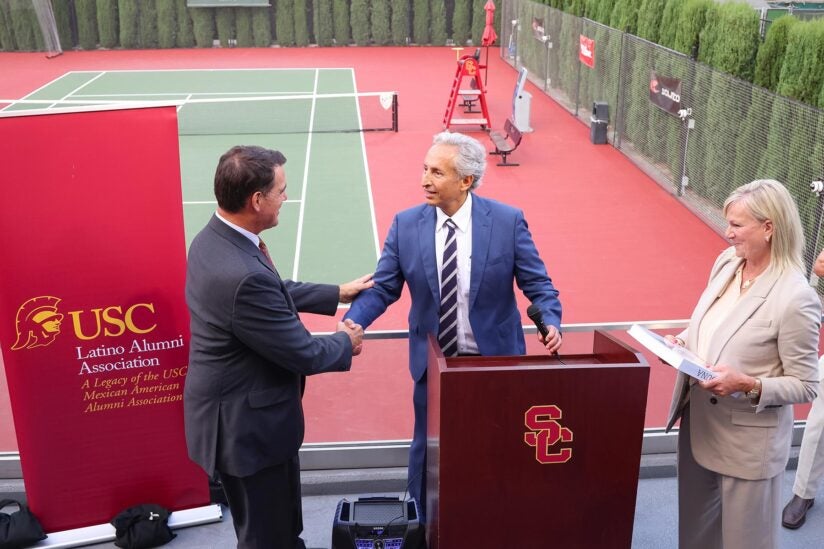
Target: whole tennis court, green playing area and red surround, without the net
(618,246)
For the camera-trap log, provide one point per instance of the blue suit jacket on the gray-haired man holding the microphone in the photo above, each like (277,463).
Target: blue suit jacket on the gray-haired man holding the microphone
(502,251)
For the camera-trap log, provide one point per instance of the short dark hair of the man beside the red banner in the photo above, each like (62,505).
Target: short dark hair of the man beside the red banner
(242,171)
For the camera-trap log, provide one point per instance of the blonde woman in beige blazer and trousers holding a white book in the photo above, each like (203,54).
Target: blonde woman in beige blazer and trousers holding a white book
(756,325)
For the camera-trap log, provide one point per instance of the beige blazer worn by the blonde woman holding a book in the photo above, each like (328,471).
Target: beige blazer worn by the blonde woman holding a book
(773,334)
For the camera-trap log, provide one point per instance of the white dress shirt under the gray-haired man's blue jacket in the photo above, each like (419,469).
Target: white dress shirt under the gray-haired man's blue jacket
(463,238)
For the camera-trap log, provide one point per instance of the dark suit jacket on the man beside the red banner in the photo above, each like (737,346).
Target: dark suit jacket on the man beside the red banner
(249,353)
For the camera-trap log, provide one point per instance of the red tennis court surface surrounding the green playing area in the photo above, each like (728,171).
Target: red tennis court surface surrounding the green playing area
(617,246)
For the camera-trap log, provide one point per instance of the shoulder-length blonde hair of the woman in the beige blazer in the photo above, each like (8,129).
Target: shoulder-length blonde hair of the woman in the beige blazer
(767,199)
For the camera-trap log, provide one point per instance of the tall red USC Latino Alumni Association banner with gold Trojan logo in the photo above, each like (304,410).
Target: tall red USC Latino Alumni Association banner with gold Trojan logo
(93,322)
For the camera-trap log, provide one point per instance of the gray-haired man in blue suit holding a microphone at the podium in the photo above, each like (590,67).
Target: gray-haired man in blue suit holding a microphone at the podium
(494,247)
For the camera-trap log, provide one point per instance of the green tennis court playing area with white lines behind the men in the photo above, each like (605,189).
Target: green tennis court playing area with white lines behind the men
(327,230)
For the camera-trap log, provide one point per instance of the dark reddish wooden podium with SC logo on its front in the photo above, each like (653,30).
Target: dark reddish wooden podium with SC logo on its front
(535,451)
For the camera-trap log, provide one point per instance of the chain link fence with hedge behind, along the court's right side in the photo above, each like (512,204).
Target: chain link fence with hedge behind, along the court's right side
(730,132)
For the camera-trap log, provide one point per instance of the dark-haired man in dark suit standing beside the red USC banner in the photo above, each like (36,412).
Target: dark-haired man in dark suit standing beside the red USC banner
(250,352)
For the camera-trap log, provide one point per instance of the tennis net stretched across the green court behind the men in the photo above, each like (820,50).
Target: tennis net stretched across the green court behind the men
(350,112)
